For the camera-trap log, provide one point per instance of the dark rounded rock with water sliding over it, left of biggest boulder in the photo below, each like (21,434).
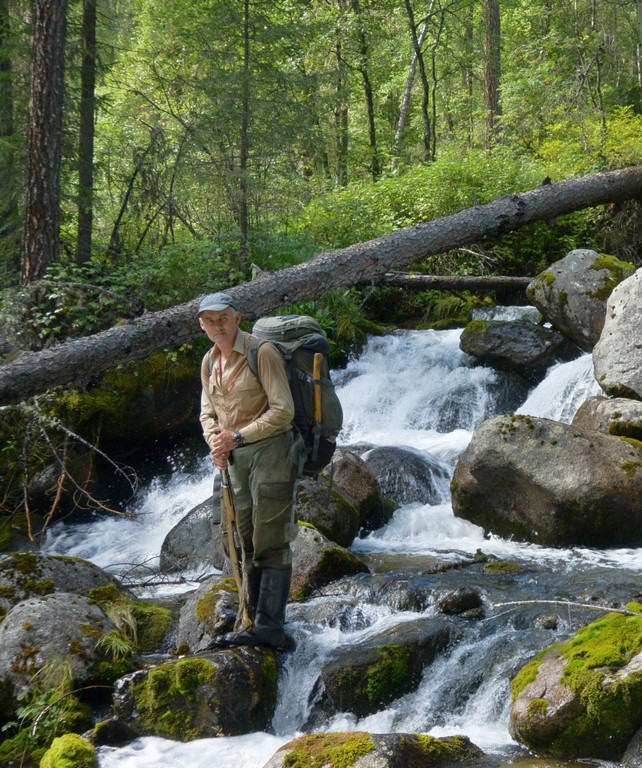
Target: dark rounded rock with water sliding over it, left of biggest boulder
(407,475)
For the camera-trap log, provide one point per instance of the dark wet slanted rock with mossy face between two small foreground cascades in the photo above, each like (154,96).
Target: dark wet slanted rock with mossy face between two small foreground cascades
(370,674)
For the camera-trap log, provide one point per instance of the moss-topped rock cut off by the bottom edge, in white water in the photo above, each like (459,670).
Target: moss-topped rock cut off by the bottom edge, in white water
(371,750)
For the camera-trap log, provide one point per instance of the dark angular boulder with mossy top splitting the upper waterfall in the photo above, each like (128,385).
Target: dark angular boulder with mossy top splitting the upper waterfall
(518,346)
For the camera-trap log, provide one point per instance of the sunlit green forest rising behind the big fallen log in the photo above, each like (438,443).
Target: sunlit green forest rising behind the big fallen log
(186,141)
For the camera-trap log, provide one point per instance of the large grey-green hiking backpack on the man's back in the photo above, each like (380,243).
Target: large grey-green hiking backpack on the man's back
(299,338)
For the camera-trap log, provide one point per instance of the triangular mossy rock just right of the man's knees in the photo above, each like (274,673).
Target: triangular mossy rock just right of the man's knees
(317,561)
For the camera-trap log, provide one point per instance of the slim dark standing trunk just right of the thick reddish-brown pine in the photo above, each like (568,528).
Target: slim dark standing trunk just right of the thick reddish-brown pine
(86,133)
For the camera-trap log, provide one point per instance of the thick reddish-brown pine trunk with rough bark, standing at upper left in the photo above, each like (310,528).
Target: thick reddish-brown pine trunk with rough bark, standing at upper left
(42,206)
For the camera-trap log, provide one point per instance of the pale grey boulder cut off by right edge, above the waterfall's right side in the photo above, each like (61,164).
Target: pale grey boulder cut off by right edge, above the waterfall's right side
(617,357)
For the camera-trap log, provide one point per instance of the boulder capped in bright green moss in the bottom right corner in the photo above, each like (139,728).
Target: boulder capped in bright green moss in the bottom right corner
(583,699)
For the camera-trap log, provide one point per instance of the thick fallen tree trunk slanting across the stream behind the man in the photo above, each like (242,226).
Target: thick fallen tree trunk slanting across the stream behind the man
(80,360)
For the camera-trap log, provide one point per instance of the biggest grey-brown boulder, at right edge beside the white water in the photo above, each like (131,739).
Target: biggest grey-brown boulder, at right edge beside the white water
(551,483)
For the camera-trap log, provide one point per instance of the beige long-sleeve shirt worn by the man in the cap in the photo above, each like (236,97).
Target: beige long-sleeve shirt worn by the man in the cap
(235,398)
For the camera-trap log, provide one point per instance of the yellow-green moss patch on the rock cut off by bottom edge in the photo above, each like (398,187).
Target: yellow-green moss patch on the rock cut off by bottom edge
(339,750)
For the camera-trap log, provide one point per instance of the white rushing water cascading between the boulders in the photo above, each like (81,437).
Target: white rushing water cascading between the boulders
(411,388)
